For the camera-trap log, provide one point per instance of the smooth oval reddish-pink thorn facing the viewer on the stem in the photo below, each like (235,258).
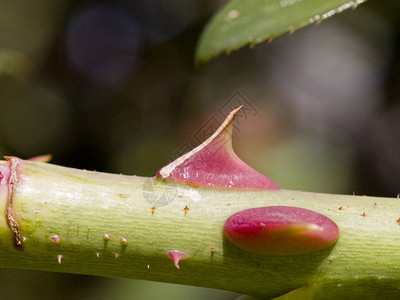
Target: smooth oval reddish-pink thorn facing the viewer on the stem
(280,230)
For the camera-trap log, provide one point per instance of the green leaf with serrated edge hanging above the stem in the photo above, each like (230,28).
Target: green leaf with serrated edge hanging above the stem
(241,22)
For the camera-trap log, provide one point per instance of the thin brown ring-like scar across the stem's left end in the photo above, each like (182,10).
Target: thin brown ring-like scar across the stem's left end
(10,213)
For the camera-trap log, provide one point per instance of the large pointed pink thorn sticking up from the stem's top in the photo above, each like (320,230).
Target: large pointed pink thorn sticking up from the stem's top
(215,164)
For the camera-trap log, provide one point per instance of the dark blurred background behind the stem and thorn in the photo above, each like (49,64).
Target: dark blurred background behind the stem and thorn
(112,86)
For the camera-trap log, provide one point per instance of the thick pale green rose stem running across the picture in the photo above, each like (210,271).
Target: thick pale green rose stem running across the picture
(81,206)
